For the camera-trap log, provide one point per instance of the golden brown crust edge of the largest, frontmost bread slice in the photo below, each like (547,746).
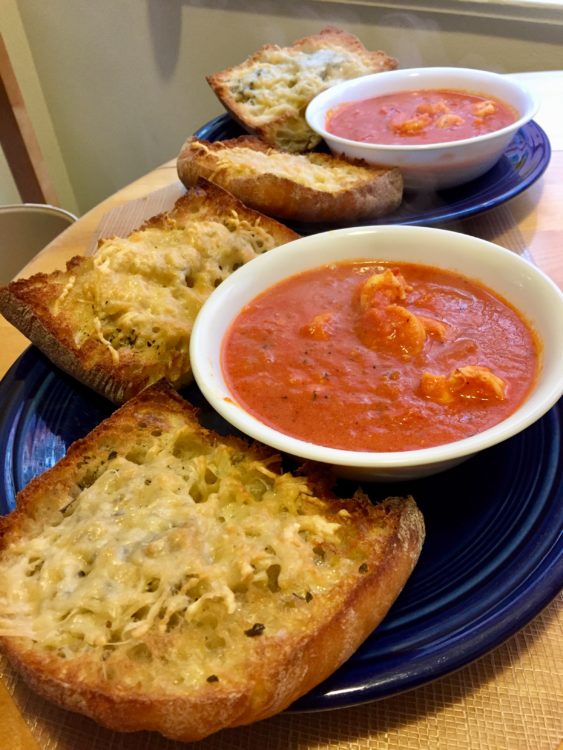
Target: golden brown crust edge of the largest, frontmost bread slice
(285,672)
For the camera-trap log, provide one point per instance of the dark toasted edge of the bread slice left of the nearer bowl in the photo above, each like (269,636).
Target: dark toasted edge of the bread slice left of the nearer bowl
(25,303)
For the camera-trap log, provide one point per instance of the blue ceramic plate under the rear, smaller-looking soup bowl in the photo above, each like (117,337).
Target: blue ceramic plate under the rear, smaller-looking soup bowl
(523,162)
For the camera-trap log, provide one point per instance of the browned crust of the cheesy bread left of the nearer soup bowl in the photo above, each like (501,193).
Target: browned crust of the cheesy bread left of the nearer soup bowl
(29,303)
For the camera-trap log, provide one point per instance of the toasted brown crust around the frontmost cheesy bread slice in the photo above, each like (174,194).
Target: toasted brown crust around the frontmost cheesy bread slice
(387,536)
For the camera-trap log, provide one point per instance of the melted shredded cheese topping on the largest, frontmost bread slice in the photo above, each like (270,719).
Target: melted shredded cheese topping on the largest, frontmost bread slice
(166,555)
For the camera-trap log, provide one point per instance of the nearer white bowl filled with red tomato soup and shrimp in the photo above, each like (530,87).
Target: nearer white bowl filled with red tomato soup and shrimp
(386,352)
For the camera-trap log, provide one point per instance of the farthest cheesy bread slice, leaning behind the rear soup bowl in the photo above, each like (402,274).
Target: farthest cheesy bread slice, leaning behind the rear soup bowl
(269,91)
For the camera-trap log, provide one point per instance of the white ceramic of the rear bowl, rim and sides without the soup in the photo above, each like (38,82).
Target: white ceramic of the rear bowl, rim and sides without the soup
(432,166)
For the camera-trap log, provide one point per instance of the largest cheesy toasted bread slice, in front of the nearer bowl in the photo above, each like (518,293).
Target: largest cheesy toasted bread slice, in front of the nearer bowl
(160,577)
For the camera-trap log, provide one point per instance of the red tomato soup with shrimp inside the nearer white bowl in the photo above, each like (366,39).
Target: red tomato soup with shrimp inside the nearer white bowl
(370,356)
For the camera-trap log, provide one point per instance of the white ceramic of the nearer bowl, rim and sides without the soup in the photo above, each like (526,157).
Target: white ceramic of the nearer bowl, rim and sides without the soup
(514,278)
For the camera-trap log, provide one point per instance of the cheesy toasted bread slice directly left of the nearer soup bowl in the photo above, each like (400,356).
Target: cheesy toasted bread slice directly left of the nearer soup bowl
(122,318)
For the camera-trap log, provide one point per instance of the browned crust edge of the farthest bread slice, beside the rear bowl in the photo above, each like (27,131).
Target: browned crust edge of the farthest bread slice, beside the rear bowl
(329,37)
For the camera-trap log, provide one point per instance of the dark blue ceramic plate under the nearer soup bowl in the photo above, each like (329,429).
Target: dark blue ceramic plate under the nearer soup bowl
(493,556)
